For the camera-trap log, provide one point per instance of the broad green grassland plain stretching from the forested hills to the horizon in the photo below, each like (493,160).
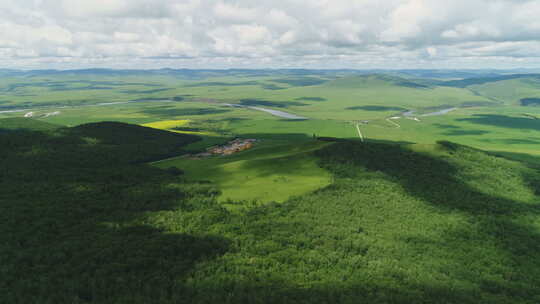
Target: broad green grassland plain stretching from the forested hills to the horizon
(489,115)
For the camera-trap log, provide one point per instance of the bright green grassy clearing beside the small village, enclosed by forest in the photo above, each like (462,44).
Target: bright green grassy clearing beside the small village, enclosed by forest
(269,172)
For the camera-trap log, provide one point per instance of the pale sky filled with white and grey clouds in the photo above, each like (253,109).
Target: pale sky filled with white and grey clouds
(333,34)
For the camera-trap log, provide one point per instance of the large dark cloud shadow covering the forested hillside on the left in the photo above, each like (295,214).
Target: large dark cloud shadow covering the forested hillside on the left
(74,222)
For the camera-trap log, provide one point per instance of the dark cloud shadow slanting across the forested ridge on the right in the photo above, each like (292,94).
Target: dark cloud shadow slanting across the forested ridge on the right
(435,181)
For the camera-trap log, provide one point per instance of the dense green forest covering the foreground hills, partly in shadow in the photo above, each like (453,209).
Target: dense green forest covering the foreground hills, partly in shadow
(86,220)
